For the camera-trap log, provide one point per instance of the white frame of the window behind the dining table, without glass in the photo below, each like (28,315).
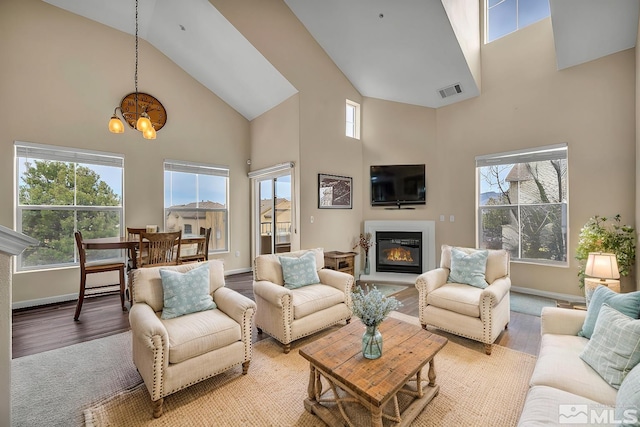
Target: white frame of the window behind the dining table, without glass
(195,168)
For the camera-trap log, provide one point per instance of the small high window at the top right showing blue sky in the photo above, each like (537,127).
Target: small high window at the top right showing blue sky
(506,16)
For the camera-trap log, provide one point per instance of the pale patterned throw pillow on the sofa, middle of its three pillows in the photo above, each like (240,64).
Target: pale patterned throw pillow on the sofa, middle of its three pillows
(614,347)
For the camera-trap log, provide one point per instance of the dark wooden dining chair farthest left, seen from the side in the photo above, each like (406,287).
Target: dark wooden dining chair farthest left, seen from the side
(86,269)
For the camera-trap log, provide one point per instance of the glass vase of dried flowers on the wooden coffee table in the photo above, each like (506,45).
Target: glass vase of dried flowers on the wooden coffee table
(371,307)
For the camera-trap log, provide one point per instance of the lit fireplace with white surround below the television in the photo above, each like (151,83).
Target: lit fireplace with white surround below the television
(426,259)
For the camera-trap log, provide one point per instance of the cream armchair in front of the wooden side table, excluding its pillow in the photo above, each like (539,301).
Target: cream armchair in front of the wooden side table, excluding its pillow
(290,314)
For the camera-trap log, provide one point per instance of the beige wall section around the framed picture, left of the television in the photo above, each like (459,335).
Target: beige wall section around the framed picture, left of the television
(323,147)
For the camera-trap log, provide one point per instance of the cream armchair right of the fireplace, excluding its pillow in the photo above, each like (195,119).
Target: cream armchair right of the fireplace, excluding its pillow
(471,312)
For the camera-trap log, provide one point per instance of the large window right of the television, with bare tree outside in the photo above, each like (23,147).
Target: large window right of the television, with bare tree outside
(522,203)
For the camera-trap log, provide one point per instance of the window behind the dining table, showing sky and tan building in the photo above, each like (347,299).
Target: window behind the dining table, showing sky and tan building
(196,198)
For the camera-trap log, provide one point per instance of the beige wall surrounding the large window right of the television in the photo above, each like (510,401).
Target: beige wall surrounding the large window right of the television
(527,103)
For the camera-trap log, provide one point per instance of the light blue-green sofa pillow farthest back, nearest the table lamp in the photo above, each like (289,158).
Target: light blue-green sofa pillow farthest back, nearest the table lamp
(628,304)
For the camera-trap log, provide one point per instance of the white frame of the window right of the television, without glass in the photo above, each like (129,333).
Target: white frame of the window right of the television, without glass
(550,152)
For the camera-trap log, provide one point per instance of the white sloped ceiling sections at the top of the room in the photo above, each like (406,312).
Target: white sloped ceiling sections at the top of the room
(405,56)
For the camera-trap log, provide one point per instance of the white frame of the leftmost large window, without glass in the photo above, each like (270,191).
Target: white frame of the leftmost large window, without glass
(77,156)
